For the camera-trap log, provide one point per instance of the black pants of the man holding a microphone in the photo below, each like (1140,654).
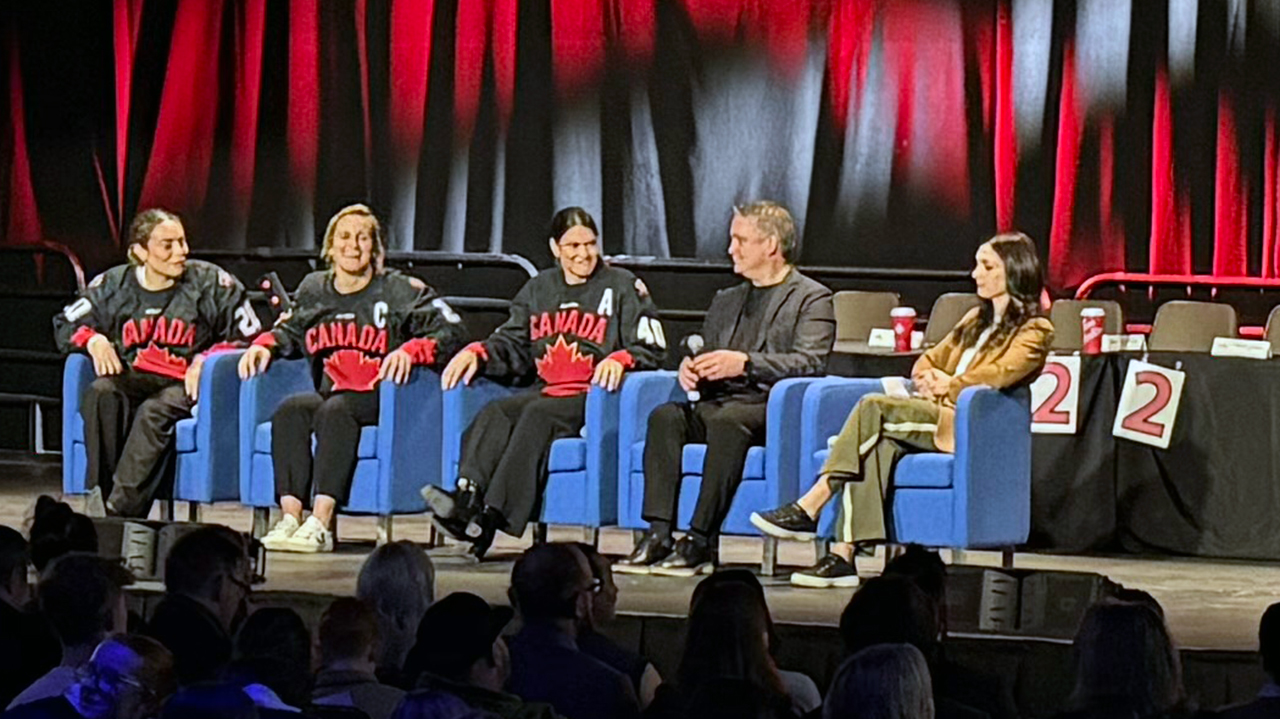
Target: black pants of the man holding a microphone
(729,429)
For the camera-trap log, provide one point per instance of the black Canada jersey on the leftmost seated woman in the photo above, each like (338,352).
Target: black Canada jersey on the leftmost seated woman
(159,332)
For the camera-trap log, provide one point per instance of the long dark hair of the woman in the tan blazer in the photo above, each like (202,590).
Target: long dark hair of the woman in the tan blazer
(1026,282)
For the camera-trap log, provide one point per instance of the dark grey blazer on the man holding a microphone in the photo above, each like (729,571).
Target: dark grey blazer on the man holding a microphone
(801,326)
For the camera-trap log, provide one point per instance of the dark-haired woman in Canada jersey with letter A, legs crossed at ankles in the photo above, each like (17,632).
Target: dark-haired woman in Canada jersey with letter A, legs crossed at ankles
(575,326)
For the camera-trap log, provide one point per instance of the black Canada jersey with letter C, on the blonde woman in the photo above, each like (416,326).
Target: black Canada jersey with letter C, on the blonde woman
(346,337)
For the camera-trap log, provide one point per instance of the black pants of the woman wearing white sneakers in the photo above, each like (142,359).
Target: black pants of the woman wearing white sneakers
(336,420)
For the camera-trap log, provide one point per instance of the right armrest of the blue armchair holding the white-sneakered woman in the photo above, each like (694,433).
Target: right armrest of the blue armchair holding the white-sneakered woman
(409,433)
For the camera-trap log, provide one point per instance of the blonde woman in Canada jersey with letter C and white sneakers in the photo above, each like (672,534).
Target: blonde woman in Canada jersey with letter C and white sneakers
(359,324)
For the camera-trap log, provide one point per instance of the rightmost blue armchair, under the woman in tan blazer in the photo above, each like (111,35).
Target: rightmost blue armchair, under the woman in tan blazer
(977,498)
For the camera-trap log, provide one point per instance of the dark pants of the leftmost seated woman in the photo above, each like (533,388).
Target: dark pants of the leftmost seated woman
(129,437)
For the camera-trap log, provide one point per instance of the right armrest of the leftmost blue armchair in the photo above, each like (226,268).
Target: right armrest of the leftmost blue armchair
(218,416)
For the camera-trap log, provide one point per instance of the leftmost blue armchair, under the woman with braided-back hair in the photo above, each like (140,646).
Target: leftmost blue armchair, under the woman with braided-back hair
(207,445)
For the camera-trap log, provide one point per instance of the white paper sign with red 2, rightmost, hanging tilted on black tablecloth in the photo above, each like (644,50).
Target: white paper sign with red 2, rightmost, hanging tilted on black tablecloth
(1149,404)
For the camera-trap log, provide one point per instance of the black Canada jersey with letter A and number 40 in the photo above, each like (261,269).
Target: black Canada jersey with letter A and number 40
(561,332)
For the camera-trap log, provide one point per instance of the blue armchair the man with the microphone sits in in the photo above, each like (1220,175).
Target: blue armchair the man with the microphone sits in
(770,478)
